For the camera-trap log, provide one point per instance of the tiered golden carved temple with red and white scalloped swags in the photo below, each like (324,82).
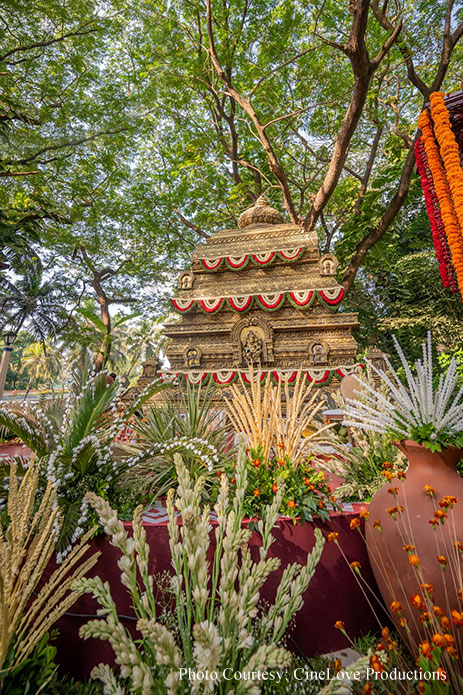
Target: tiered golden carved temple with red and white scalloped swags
(263,295)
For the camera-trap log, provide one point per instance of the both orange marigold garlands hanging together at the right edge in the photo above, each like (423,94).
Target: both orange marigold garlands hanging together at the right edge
(442,154)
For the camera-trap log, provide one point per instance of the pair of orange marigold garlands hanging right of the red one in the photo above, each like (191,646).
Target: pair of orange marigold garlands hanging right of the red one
(450,217)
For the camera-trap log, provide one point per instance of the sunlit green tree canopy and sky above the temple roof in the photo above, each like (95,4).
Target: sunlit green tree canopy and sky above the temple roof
(117,134)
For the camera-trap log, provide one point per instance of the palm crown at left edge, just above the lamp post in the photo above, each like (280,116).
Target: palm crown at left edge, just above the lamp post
(31,302)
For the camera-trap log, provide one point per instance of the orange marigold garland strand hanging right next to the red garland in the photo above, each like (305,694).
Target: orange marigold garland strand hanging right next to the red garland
(441,185)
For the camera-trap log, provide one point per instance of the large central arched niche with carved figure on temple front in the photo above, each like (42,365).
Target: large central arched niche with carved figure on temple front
(252,342)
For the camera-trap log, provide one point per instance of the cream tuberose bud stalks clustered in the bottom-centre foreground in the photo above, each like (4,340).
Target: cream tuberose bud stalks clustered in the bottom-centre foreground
(215,595)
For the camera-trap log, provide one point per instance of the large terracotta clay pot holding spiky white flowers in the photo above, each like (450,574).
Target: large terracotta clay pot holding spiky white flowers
(397,579)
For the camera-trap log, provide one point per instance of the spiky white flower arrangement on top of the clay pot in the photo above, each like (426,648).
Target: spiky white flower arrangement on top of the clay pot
(429,415)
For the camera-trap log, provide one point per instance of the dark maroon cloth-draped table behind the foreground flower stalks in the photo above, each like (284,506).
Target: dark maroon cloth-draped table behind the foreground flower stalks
(333,594)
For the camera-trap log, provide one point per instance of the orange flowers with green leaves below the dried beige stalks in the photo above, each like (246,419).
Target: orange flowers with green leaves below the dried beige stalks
(306,491)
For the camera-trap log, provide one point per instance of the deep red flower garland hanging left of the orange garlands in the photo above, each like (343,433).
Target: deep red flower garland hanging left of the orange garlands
(437,226)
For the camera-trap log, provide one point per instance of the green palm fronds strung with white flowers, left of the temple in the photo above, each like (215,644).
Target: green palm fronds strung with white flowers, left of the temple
(72,435)
